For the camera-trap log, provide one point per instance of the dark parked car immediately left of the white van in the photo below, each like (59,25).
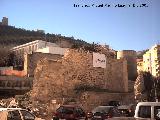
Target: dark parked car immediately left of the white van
(127,110)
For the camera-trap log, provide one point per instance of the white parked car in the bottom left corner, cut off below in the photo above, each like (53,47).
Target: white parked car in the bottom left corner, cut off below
(17,114)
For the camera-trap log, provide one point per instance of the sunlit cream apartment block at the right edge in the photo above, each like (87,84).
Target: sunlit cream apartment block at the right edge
(151,61)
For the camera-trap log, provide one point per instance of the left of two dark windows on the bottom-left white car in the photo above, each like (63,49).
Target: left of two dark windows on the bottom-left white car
(14,115)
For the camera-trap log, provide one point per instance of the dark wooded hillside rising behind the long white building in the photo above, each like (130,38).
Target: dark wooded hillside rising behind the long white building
(10,35)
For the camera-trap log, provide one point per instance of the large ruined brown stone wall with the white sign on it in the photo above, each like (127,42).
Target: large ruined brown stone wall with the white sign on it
(76,72)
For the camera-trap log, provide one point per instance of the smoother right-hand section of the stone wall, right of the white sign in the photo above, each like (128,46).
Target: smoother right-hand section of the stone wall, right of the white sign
(118,76)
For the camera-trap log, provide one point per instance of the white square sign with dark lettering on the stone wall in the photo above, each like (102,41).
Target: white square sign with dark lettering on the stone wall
(99,60)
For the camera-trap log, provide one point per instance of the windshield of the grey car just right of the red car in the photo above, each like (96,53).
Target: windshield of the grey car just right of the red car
(101,109)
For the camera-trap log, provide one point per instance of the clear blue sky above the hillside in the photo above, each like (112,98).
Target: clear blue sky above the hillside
(126,28)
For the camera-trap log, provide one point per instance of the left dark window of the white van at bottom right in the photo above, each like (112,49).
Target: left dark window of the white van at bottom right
(144,112)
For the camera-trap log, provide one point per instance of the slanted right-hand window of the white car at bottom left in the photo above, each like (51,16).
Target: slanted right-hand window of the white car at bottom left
(27,115)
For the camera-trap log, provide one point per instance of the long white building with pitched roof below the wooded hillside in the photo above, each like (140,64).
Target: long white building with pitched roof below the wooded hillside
(34,46)
